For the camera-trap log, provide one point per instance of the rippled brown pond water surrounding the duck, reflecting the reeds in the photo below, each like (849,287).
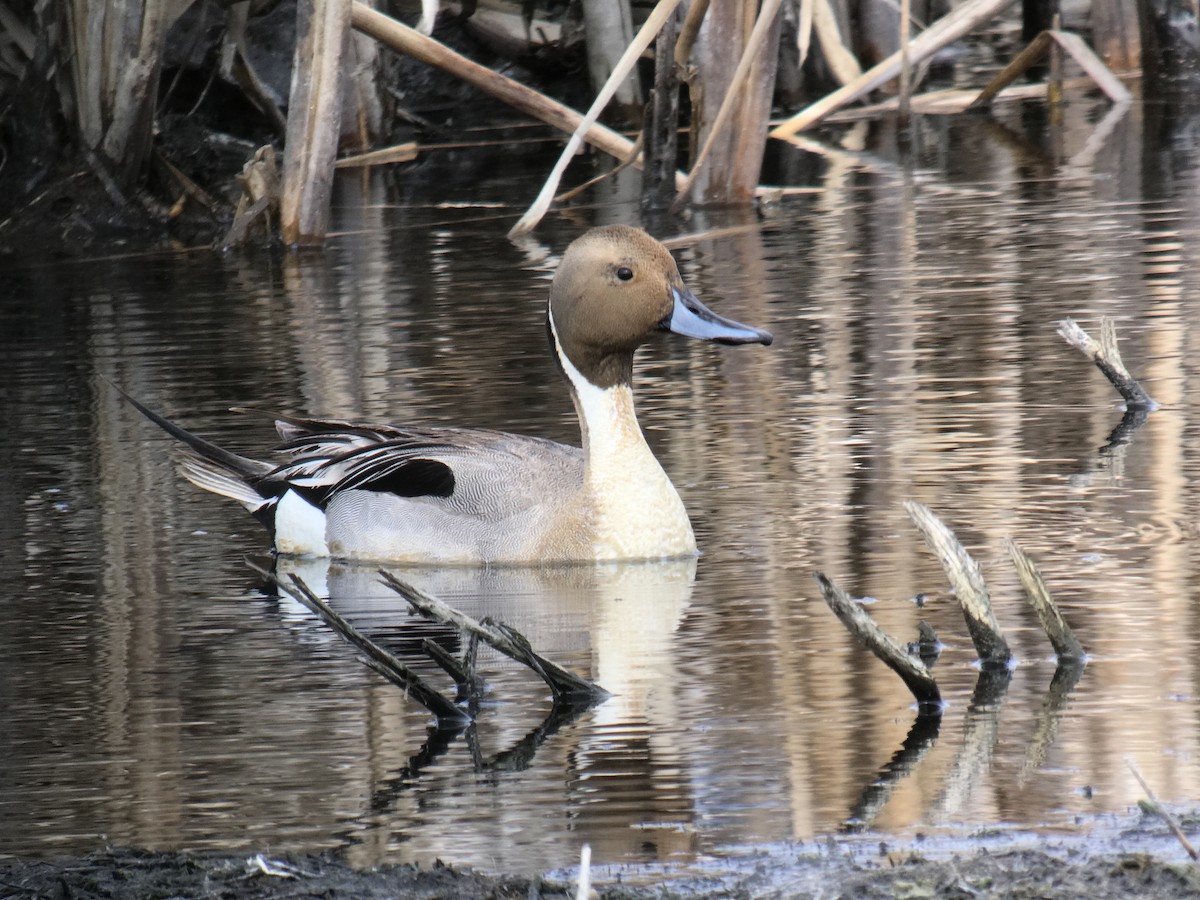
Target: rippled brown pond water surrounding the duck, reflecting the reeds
(157,697)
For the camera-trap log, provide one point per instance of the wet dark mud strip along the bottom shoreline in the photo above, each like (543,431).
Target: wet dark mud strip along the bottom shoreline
(1112,866)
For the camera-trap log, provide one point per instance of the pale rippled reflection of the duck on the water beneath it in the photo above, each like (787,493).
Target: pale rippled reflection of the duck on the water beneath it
(616,623)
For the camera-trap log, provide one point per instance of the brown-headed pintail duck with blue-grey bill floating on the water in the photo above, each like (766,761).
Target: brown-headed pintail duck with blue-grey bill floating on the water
(398,494)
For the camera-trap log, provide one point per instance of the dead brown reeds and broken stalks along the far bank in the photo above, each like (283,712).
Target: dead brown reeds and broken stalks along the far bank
(722,69)
